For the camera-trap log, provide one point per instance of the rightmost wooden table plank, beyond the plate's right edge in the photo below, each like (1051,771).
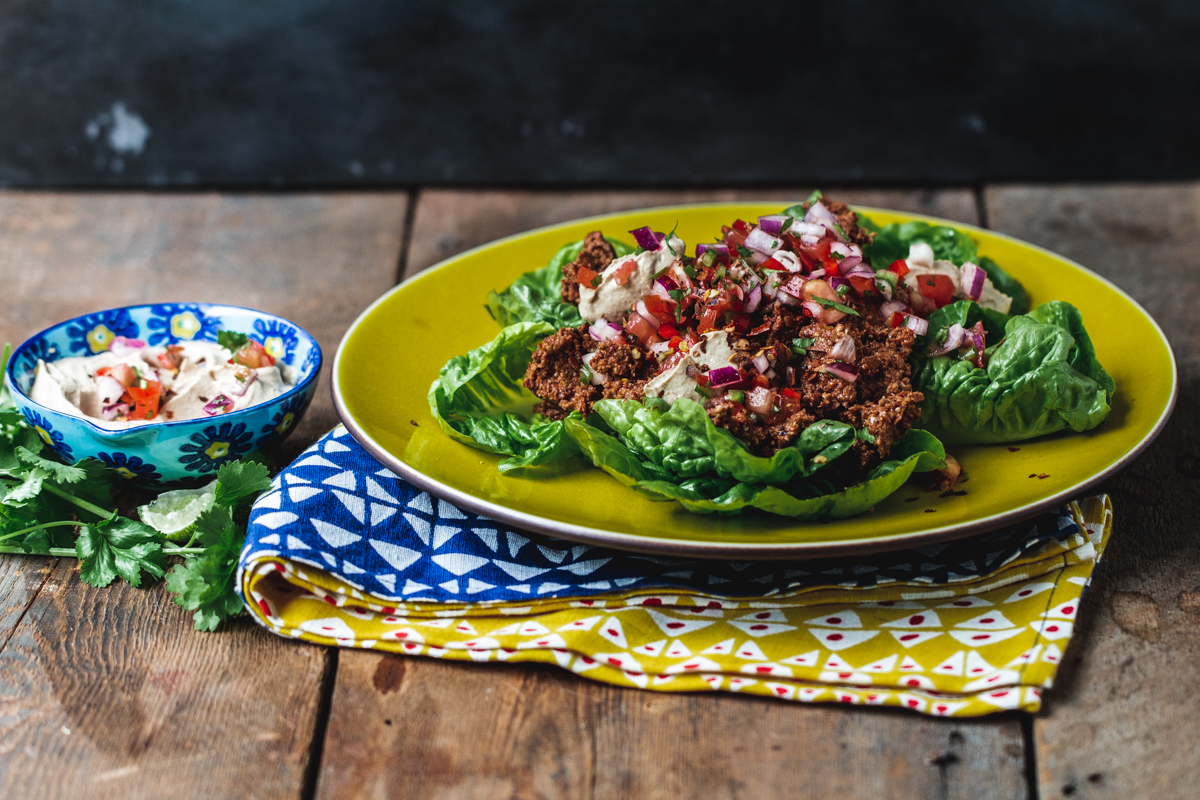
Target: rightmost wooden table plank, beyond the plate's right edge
(1125,718)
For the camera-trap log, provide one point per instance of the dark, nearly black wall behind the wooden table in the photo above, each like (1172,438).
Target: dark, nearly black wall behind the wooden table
(315,93)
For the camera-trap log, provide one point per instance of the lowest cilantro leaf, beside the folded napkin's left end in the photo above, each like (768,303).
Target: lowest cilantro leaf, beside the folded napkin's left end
(206,585)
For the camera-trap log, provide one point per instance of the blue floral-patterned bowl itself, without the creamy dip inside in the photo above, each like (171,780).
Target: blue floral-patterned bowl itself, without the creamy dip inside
(167,454)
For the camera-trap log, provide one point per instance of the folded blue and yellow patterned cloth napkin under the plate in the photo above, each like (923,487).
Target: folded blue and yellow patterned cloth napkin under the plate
(344,552)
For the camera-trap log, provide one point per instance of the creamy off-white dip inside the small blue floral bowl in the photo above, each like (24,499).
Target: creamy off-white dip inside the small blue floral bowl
(206,375)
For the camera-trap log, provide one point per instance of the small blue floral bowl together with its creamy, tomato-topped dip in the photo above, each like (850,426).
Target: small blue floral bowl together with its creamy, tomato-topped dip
(165,394)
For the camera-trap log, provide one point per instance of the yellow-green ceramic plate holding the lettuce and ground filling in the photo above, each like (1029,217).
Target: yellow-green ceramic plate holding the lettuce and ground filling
(395,350)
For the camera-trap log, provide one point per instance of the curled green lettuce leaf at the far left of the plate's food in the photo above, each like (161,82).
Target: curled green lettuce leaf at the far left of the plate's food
(479,401)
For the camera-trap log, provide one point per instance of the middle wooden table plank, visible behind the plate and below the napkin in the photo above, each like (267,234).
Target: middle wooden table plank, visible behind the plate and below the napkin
(463,731)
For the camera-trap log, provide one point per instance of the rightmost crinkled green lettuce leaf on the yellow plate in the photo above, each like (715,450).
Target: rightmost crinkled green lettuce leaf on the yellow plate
(1042,378)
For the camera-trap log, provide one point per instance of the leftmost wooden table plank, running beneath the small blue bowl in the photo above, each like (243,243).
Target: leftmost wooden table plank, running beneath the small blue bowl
(153,708)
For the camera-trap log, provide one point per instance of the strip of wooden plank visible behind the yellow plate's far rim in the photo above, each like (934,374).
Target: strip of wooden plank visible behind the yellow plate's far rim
(451,221)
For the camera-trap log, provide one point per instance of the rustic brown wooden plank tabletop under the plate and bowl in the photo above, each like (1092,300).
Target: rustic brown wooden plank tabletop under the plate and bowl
(110,693)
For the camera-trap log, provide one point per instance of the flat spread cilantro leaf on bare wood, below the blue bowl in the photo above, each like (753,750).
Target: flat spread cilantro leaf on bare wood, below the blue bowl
(122,548)
